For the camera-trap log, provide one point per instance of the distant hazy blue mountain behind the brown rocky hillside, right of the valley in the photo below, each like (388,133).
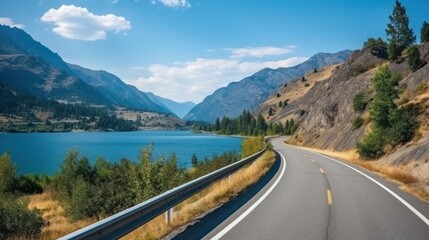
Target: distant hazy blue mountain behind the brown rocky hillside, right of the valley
(251,91)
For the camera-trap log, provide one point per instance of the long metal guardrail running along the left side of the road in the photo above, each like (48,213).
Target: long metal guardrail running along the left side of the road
(126,221)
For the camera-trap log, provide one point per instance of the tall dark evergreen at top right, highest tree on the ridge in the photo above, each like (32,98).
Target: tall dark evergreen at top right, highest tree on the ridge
(398,29)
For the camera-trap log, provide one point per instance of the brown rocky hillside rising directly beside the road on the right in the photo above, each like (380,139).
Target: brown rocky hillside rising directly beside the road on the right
(325,113)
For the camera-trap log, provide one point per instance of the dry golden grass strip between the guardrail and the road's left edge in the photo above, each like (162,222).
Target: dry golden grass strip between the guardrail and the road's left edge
(206,201)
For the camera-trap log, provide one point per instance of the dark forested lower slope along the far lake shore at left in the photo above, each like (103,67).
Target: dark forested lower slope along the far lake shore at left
(89,118)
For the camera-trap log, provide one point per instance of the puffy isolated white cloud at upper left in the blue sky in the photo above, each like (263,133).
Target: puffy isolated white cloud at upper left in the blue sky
(78,23)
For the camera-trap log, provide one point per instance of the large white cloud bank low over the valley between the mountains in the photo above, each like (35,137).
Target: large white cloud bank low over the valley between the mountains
(194,80)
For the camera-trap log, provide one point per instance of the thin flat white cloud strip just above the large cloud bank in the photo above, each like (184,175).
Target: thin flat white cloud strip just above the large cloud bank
(258,51)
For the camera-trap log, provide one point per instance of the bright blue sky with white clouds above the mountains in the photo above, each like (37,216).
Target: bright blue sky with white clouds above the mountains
(186,49)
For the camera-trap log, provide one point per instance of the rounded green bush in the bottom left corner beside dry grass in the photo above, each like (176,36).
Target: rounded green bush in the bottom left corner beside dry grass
(16,220)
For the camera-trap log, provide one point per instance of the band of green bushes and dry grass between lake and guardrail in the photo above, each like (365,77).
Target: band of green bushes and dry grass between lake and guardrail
(82,193)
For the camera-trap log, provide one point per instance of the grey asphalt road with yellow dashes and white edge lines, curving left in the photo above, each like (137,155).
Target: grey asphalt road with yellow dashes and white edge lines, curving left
(315,197)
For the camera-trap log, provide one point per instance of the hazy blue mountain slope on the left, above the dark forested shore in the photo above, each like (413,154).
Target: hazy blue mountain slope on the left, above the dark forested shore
(26,65)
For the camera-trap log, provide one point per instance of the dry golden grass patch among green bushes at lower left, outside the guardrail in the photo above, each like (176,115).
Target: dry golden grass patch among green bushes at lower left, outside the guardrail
(53,213)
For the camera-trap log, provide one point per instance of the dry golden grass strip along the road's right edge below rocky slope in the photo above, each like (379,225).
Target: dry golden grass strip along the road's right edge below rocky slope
(399,174)
